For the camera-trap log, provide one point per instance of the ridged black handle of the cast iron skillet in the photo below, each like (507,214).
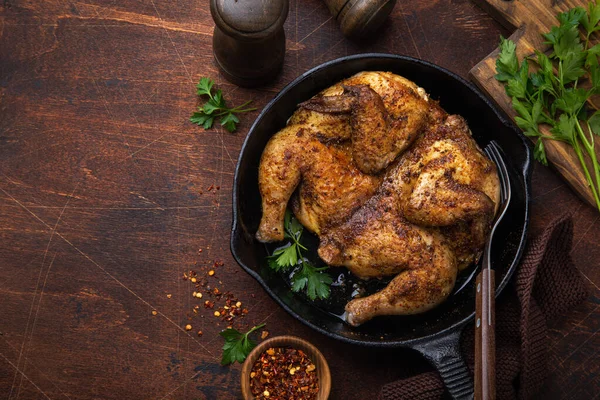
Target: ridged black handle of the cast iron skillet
(444,354)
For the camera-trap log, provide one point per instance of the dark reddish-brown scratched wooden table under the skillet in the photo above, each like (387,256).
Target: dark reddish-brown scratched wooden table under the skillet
(104,199)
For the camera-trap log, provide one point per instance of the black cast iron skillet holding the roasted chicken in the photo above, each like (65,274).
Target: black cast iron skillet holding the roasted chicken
(436,333)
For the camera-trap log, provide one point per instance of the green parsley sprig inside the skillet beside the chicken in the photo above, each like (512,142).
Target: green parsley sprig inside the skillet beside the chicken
(306,276)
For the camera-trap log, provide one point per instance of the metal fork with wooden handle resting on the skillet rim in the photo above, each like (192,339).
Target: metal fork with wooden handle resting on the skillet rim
(485,340)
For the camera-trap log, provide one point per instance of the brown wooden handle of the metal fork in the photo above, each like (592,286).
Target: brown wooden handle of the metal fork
(485,338)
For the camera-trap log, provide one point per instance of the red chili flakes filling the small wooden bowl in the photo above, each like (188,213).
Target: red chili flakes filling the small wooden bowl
(284,373)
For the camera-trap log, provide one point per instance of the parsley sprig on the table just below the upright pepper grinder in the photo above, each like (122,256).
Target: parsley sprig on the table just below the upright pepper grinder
(216,107)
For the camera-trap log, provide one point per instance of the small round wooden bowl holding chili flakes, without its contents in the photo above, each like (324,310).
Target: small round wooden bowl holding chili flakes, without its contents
(295,343)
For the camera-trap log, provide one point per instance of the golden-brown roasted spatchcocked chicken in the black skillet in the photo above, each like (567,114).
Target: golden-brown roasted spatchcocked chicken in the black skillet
(392,185)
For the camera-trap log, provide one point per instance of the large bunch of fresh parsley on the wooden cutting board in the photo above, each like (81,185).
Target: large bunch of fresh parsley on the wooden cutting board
(556,94)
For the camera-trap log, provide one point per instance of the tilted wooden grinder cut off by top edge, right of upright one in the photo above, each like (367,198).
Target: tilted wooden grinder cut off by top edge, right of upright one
(360,18)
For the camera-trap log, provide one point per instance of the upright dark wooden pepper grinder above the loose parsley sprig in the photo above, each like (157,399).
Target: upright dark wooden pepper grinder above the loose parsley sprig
(248,41)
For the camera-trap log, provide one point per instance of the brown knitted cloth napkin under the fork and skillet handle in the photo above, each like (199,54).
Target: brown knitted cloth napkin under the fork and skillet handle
(546,285)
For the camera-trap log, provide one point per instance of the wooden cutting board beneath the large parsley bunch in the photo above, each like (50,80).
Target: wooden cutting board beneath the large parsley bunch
(530,18)
